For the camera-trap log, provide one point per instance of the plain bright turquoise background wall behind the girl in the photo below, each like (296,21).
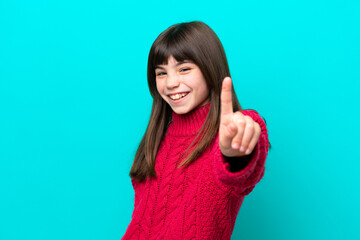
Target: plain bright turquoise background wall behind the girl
(74,104)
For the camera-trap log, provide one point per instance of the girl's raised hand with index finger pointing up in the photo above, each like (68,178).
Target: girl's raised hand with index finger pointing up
(238,133)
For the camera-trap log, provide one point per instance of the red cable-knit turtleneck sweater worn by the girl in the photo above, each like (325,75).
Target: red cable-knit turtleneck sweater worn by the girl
(200,200)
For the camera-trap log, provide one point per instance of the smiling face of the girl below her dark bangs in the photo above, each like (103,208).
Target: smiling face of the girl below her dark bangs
(181,85)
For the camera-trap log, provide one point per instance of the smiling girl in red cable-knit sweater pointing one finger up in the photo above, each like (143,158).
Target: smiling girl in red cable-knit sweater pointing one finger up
(201,153)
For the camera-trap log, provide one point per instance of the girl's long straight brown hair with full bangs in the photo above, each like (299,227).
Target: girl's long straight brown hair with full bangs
(193,41)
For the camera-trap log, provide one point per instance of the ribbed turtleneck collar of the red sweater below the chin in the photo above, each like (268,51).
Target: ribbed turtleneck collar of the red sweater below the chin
(189,123)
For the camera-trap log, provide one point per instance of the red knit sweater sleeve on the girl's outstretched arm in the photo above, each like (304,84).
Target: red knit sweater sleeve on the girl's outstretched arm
(243,173)
